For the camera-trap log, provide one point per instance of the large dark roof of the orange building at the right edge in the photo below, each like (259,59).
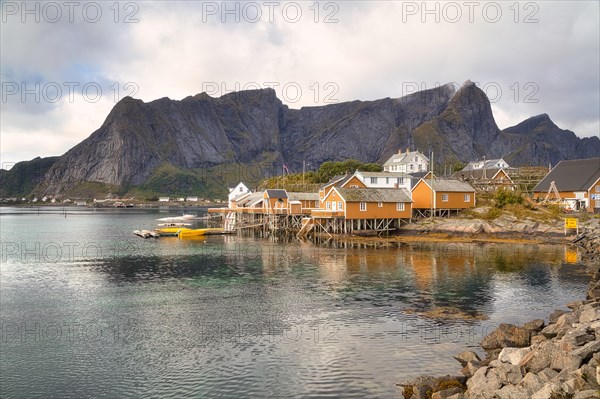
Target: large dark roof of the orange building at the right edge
(572,175)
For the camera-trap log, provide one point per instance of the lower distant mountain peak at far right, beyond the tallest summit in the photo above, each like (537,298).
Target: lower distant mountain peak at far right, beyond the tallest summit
(538,141)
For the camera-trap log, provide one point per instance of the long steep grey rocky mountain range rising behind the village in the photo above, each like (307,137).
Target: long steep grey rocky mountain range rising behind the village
(200,144)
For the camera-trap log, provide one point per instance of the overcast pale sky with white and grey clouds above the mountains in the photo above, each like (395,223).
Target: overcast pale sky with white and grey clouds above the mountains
(65,64)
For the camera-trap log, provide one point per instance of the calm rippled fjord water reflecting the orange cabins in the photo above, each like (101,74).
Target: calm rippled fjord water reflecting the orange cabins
(89,310)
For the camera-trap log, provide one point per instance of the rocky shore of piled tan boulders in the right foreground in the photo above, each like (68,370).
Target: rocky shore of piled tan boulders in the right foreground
(560,360)
